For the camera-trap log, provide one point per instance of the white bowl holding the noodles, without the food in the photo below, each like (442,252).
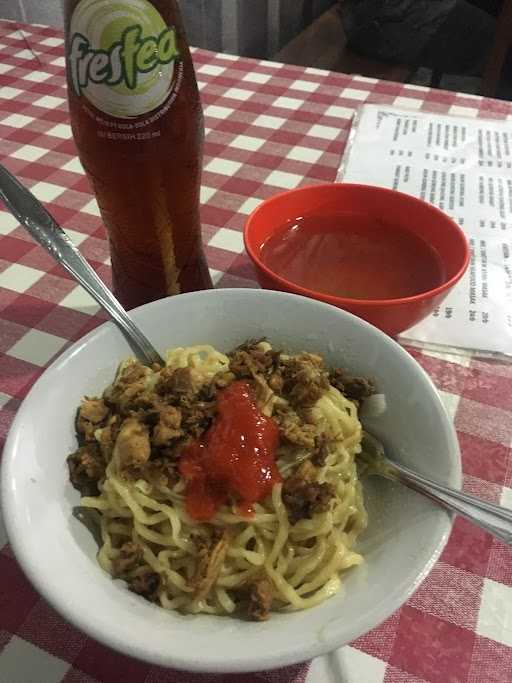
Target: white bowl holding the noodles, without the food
(406,532)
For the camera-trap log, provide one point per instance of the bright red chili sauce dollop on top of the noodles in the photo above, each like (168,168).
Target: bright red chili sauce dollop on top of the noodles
(235,459)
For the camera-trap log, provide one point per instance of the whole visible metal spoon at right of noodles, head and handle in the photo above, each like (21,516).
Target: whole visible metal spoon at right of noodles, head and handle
(492,518)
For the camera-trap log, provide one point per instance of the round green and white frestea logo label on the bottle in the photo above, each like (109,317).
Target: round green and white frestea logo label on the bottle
(121,56)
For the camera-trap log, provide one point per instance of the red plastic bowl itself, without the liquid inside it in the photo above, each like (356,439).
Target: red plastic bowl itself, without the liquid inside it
(402,210)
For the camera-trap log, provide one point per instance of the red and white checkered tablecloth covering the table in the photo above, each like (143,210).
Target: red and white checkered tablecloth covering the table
(269,127)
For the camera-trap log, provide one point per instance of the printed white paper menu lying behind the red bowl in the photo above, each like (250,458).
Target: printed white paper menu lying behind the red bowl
(463,166)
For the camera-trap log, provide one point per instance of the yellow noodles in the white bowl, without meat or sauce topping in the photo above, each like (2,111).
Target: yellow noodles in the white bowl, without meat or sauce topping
(303,560)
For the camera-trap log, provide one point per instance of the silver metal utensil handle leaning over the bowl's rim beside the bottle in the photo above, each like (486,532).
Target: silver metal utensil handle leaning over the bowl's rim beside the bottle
(45,230)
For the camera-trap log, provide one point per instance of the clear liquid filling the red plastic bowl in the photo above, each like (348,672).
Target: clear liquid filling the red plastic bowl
(353,255)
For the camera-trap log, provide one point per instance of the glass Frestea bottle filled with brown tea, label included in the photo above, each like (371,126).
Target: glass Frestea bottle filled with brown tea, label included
(138,125)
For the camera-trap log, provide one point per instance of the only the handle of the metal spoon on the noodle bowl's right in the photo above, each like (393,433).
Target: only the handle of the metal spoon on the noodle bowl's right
(492,518)
